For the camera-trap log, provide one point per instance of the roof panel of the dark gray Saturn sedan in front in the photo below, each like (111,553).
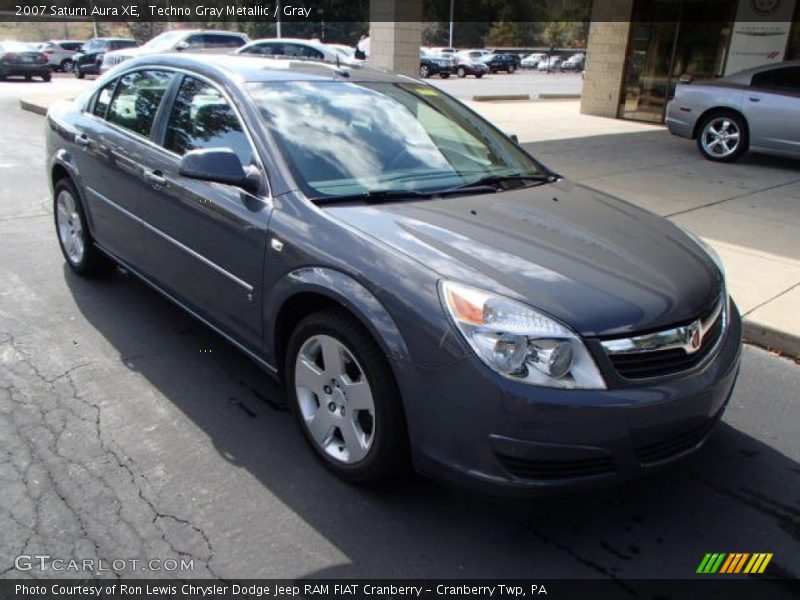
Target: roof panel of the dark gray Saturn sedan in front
(244,68)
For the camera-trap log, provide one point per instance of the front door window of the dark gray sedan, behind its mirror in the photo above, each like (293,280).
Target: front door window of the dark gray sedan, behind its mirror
(202,118)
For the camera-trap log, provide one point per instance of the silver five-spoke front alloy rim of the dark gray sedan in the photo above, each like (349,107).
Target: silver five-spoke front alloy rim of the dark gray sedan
(335,399)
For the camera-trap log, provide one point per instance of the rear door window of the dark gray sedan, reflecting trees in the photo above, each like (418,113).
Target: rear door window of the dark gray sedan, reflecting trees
(137,98)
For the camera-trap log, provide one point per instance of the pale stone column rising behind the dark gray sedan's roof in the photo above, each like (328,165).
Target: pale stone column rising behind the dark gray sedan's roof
(395,35)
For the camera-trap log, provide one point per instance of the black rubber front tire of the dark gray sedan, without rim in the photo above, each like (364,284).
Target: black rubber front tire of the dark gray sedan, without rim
(388,455)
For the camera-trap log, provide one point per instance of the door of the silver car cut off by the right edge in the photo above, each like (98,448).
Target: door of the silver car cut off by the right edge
(772,109)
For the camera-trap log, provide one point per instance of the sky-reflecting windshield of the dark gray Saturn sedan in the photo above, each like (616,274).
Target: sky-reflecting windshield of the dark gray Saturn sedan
(349,138)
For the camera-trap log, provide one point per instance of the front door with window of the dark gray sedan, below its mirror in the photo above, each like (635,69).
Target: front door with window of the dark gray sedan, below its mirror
(213,236)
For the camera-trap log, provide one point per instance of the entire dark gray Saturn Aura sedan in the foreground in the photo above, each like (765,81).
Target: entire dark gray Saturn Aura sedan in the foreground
(429,293)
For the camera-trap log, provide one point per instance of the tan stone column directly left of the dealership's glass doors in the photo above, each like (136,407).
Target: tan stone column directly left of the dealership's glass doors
(605,57)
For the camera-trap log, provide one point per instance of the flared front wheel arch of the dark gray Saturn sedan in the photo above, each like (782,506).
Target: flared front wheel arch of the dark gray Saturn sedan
(309,289)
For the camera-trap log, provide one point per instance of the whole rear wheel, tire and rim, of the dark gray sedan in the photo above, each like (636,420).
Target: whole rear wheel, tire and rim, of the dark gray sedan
(73,234)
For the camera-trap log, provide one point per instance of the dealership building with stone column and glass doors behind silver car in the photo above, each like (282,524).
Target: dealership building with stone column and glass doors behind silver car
(638,49)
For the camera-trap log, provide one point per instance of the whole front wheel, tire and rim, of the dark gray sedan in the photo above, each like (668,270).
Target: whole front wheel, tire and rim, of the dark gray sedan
(345,399)
